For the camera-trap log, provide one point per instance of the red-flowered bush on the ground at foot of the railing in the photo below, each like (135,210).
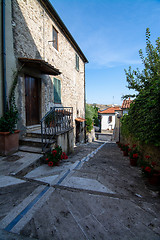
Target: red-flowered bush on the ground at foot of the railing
(55,156)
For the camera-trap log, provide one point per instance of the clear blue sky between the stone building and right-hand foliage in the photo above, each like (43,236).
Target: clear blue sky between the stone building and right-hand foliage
(110,33)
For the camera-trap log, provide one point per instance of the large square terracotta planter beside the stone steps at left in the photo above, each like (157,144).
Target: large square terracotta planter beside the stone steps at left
(9,142)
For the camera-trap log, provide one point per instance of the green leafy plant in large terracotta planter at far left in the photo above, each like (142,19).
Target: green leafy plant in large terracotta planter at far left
(9,136)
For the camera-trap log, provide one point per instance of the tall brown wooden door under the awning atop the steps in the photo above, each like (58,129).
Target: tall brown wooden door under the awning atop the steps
(32,99)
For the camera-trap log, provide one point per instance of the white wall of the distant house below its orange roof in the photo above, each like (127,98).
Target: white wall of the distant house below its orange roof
(105,121)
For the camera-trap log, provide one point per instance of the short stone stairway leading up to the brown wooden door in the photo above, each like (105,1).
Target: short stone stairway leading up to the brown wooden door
(32,141)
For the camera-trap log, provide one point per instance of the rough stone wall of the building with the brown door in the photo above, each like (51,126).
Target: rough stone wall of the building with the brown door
(32,34)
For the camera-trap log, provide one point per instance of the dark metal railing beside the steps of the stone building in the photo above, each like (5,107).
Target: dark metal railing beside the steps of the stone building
(57,120)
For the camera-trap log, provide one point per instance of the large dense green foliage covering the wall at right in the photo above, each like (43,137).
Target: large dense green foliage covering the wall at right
(143,119)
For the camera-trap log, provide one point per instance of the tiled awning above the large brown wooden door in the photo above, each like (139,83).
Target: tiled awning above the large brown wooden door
(41,65)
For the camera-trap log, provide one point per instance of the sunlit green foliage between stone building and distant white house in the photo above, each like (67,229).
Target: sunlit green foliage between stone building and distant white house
(91,117)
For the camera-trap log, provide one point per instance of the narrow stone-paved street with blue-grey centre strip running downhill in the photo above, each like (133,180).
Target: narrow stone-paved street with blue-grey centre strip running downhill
(95,194)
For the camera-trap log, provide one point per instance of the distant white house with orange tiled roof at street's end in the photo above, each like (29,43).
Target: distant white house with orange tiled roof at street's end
(108,118)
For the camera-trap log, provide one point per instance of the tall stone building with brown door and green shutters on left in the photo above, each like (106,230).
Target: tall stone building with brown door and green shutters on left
(49,63)
